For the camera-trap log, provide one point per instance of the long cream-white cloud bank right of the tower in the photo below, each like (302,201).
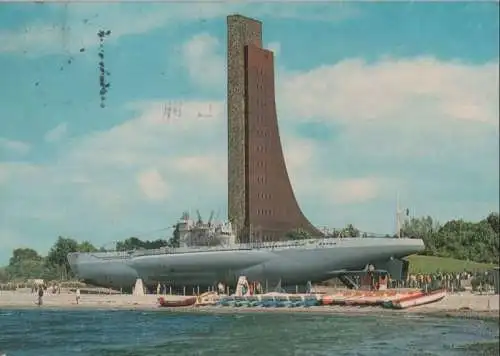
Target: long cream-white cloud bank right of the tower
(419,90)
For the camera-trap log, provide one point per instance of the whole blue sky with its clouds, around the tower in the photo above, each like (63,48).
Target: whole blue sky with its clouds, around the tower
(373,99)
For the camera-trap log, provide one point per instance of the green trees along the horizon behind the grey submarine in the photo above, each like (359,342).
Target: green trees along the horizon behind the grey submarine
(473,241)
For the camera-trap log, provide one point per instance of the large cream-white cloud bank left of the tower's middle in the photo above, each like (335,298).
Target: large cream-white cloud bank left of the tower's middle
(150,156)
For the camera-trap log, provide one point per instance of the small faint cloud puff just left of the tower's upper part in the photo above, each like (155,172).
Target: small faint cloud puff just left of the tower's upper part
(202,60)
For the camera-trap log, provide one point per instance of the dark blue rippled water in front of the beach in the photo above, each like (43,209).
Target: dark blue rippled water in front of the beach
(121,333)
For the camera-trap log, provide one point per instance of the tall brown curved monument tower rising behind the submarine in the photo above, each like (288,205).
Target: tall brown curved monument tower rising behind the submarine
(261,198)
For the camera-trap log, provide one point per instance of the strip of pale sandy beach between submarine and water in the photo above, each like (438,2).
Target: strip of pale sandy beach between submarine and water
(454,305)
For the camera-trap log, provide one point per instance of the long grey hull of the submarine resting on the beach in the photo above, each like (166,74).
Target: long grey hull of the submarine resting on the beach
(312,262)
